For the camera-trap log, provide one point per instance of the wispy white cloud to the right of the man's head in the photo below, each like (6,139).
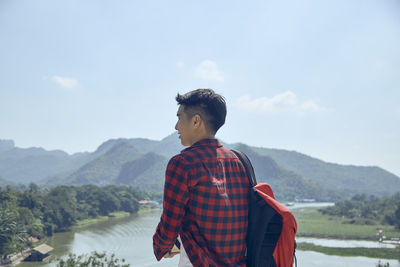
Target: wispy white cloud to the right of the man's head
(286,102)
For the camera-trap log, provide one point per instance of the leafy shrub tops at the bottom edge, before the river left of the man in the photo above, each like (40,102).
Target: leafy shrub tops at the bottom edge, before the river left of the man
(95,259)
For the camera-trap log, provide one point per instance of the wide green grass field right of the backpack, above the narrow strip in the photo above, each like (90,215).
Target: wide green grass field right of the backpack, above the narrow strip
(312,223)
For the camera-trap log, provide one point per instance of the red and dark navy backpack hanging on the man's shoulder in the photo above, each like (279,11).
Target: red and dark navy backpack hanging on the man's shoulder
(271,226)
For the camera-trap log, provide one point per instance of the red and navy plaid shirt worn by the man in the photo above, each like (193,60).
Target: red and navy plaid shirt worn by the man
(205,202)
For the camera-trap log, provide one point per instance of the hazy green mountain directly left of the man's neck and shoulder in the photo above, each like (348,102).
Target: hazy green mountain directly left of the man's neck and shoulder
(113,159)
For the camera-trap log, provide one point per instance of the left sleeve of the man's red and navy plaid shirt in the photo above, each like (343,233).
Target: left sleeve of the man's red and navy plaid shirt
(175,199)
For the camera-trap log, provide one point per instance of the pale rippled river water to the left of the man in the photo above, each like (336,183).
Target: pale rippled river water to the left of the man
(129,238)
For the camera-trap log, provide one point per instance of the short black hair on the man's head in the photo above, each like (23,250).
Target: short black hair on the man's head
(209,105)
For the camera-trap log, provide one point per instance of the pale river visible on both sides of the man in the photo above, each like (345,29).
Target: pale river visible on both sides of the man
(131,238)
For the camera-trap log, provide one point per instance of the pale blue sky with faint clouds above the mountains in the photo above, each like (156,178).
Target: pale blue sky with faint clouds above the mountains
(318,77)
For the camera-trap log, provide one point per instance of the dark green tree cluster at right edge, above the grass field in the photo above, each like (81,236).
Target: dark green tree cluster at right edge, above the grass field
(368,210)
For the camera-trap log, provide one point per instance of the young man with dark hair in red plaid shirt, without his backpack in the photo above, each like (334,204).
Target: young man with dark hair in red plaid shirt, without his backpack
(206,190)
